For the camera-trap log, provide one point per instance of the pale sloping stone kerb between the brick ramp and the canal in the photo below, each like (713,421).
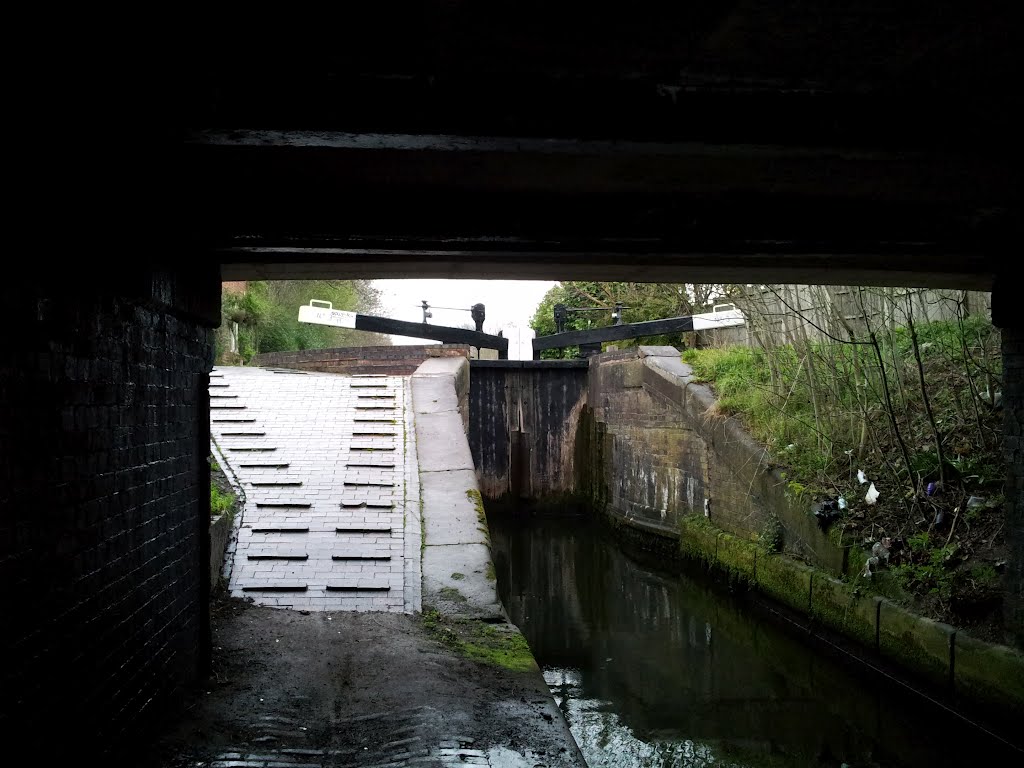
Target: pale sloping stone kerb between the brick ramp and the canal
(455,531)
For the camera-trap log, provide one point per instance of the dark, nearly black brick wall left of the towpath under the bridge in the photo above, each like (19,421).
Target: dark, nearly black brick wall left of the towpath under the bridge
(104,502)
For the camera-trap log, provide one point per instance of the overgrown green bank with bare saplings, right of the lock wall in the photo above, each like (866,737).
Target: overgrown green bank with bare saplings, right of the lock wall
(822,412)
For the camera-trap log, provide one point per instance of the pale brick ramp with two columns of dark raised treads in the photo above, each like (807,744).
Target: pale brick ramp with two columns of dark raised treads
(328,470)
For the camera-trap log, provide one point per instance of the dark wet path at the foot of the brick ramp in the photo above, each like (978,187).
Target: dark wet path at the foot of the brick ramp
(298,691)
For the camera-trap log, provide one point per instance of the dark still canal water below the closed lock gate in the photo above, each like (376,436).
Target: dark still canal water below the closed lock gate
(654,668)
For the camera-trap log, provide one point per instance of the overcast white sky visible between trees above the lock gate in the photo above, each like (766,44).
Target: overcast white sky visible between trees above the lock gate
(510,305)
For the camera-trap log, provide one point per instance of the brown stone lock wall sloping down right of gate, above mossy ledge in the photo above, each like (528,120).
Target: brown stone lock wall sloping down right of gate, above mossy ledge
(662,453)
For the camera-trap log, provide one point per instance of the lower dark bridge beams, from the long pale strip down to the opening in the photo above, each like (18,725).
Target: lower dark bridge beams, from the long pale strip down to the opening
(278,204)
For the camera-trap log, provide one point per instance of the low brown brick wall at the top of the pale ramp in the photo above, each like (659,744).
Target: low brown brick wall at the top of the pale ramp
(396,361)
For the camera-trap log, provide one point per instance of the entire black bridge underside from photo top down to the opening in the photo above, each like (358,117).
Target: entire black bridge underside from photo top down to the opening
(710,143)
